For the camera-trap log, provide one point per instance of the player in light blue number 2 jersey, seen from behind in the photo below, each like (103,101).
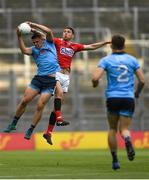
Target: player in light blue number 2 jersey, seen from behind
(120,68)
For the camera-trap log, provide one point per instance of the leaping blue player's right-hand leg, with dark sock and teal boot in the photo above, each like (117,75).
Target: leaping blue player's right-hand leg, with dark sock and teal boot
(43,99)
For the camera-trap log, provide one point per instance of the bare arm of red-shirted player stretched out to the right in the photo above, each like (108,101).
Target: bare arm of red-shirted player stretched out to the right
(96,45)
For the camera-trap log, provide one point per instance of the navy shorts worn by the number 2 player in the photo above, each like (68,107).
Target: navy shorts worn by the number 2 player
(121,106)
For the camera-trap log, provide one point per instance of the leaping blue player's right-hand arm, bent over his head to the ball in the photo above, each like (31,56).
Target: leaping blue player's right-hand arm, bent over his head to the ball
(45,29)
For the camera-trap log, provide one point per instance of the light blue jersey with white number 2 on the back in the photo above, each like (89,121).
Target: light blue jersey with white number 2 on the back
(120,68)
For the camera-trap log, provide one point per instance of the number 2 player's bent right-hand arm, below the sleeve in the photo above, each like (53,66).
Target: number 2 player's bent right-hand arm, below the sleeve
(141,82)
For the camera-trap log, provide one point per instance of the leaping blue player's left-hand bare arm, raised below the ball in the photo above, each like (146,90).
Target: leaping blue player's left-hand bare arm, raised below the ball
(23,48)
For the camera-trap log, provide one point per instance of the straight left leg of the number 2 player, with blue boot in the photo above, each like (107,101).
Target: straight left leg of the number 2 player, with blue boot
(112,141)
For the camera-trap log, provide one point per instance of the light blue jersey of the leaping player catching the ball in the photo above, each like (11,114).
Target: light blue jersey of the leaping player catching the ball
(46,58)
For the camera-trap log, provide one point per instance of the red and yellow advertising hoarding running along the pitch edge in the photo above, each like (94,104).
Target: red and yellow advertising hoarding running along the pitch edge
(68,141)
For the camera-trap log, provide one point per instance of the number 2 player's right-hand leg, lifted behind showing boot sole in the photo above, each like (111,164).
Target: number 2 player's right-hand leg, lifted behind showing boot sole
(125,133)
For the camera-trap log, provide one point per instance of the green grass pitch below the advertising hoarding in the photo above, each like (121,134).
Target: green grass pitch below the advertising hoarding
(80,164)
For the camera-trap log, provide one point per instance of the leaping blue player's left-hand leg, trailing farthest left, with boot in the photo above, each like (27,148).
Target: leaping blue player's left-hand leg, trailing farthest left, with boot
(28,96)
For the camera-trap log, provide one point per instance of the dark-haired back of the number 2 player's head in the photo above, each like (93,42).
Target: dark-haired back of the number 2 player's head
(118,42)
